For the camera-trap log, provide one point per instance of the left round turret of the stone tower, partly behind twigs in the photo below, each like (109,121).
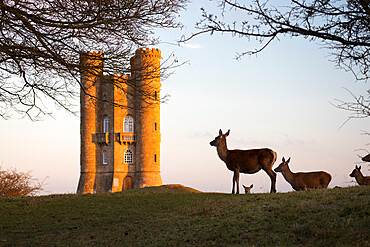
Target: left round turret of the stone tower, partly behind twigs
(92,66)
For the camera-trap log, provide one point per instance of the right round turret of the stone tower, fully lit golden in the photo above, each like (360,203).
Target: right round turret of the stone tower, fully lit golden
(146,72)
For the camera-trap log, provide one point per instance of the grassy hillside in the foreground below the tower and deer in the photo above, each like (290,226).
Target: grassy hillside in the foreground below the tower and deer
(178,216)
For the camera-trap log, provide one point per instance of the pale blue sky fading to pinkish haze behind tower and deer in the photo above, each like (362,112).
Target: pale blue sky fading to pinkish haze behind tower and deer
(281,99)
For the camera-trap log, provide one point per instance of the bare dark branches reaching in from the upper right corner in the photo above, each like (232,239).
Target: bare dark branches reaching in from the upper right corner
(342,26)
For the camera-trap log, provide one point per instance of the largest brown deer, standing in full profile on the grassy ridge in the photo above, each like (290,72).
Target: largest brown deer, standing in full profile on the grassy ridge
(245,161)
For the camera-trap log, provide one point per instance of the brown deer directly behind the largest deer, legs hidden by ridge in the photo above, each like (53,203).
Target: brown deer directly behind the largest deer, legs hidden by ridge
(304,180)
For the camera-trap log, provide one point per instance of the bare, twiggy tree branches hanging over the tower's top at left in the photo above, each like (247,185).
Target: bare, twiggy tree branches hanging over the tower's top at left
(41,43)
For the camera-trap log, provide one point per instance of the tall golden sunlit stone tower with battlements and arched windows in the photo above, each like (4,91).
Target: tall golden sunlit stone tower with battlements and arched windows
(120,146)
